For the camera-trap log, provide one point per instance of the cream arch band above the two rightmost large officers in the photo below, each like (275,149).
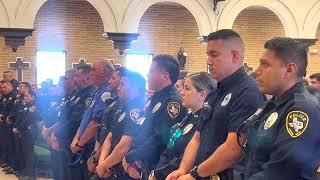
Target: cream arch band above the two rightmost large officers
(234,7)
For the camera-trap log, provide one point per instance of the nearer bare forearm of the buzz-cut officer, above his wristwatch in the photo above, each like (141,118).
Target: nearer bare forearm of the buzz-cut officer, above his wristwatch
(223,158)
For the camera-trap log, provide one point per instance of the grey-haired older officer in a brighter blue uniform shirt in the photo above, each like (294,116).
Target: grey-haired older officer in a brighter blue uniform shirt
(84,139)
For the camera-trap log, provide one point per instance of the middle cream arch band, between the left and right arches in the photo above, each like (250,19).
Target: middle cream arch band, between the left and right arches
(137,8)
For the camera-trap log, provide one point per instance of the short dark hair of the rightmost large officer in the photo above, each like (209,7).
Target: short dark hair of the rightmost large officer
(289,50)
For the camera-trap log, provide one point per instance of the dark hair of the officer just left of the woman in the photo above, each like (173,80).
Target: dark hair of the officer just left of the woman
(169,64)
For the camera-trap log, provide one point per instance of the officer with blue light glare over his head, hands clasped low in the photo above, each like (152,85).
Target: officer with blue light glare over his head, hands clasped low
(128,129)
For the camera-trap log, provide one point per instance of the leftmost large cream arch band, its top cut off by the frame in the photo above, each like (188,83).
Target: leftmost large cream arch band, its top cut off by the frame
(27,13)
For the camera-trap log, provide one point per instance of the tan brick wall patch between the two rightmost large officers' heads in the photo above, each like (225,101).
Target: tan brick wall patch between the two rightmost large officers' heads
(257,26)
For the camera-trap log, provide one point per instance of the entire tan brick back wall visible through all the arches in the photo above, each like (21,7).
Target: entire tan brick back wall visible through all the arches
(76,27)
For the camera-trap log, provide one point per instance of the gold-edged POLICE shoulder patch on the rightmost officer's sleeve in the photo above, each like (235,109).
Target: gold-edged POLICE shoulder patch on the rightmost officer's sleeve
(296,123)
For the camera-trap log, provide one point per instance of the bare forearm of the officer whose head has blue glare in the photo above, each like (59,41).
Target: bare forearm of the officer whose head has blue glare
(118,152)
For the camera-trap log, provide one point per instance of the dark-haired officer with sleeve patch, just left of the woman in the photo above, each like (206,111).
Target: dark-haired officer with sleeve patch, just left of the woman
(164,111)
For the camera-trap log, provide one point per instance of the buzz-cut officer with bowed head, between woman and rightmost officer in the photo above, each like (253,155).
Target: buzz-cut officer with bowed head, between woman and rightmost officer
(214,148)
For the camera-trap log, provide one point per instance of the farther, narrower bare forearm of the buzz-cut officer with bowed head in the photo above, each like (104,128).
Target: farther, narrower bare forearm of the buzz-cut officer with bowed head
(190,154)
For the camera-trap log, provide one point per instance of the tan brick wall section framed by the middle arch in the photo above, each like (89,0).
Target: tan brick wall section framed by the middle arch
(166,28)
